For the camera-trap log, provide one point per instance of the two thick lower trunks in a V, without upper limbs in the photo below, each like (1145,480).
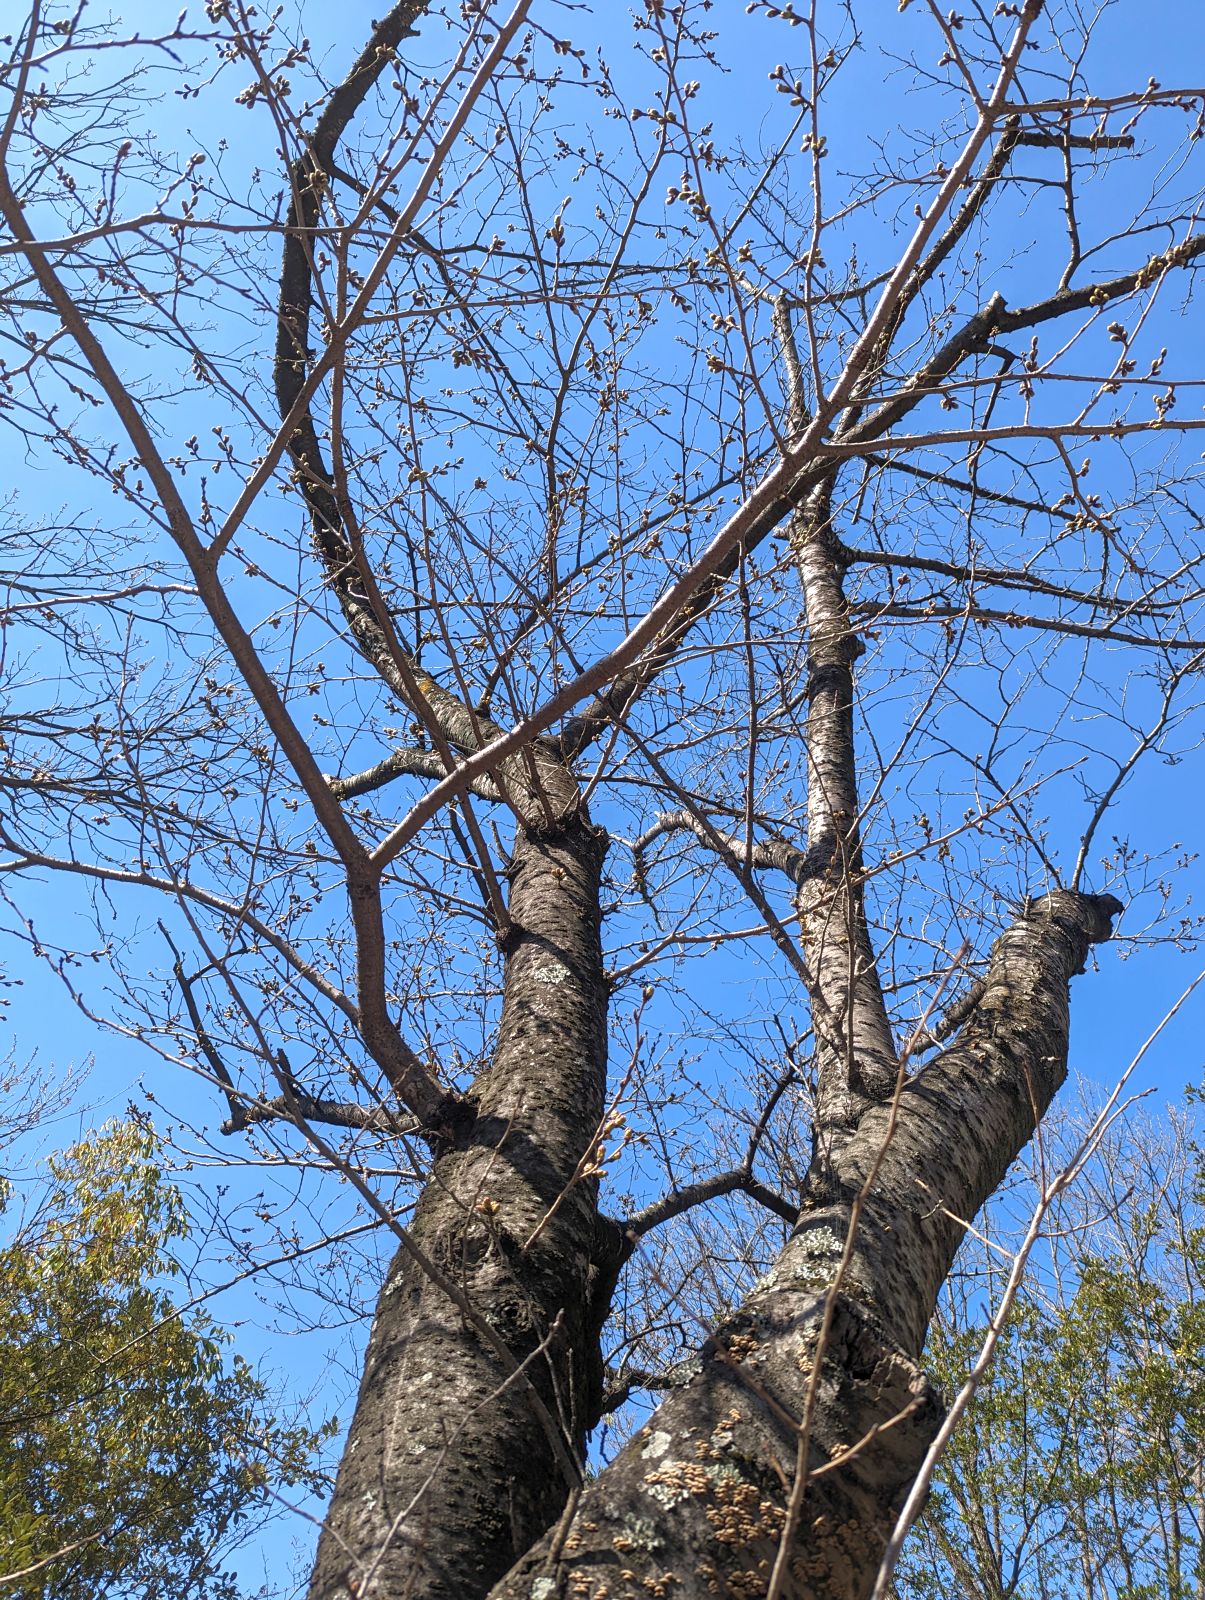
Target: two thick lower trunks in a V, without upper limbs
(449,1478)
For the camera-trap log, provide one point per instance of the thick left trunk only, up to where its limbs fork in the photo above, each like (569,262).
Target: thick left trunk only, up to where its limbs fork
(449,1473)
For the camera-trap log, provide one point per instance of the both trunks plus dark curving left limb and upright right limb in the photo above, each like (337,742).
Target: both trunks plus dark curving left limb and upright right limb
(457,1465)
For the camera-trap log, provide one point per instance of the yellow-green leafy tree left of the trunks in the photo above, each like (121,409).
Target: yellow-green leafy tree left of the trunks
(127,1439)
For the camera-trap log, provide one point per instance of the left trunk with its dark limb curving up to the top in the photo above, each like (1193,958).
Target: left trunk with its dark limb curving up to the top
(455,1465)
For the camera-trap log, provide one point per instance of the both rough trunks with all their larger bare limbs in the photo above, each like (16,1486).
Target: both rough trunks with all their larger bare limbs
(783,1460)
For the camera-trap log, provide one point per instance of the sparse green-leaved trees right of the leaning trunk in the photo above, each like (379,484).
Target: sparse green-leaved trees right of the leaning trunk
(1079,1470)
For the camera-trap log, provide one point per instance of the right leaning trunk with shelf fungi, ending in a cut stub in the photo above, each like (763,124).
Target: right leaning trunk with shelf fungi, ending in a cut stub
(695,1506)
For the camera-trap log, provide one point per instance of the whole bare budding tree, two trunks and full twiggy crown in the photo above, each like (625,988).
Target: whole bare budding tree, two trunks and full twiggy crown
(599,570)
